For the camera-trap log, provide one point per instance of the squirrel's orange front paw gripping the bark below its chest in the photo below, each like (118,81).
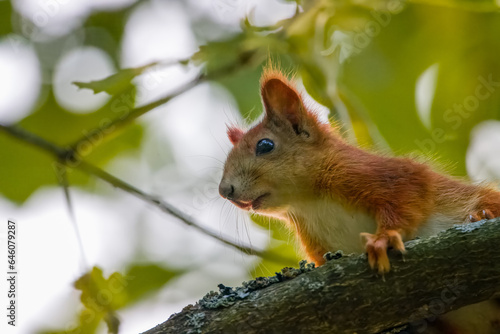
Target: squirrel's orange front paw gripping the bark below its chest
(376,246)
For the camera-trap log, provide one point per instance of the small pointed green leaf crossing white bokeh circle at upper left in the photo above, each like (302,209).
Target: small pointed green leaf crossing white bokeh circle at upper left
(115,83)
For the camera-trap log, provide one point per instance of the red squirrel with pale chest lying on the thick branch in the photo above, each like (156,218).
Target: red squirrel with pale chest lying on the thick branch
(295,168)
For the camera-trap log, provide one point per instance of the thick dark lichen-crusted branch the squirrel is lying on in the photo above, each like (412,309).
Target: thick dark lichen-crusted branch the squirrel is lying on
(456,268)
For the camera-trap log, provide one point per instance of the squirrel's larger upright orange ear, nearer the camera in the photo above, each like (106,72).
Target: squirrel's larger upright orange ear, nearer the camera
(282,102)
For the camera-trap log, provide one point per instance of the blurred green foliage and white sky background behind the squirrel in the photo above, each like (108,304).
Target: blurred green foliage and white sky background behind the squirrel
(417,78)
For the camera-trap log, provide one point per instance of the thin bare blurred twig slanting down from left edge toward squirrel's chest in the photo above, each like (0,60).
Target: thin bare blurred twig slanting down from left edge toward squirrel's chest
(68,158)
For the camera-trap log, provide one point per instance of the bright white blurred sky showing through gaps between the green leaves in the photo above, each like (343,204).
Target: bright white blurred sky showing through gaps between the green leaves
(193,123)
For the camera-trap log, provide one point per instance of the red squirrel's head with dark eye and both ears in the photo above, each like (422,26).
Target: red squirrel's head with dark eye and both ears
(271,165)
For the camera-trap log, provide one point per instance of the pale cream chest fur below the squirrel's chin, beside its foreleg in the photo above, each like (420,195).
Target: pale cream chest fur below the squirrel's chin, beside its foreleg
(332,225)
